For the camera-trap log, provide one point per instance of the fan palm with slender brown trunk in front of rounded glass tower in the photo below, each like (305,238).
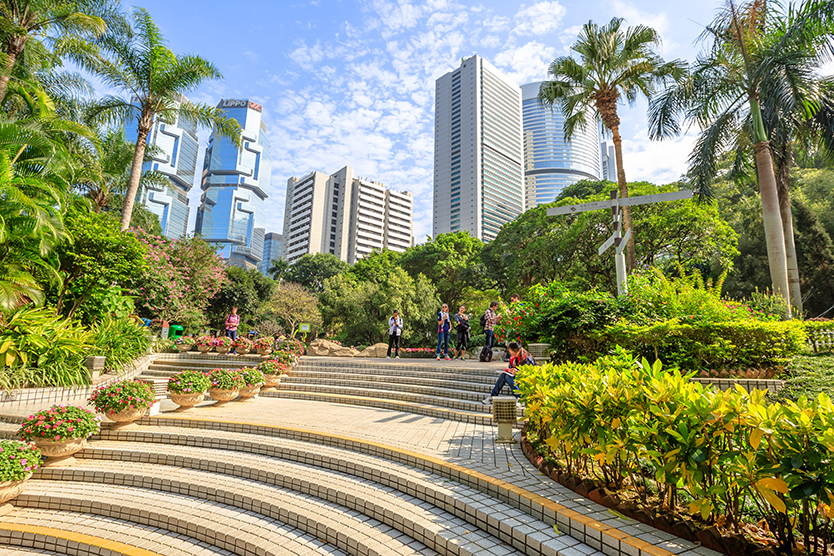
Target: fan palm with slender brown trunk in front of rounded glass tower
(613,63)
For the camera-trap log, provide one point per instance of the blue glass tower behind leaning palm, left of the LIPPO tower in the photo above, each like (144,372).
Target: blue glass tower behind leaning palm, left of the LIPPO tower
(176,159)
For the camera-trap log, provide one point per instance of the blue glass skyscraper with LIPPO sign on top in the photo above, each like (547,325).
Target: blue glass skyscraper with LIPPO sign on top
(235,184)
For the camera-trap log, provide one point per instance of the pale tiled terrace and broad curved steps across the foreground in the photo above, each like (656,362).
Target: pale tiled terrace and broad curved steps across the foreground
(287,476)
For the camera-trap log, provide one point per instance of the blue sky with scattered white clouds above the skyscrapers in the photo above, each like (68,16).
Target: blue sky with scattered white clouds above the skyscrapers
(351,82)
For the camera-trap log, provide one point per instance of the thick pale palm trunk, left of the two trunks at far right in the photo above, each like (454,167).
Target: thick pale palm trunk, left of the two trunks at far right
(774,234)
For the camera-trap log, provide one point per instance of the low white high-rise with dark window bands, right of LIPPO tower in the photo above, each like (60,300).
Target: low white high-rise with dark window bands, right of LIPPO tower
(344,215)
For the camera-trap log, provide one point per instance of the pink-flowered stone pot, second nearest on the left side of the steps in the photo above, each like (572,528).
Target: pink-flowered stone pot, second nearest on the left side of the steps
(60,431)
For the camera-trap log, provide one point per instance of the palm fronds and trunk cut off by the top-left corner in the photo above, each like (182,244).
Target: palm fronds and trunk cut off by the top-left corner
(25,22)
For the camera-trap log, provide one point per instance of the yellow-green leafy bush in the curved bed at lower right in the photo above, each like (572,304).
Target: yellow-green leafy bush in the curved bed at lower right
(673,443)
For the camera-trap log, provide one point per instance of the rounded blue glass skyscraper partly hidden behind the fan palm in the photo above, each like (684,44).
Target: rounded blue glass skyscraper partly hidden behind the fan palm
(550,162)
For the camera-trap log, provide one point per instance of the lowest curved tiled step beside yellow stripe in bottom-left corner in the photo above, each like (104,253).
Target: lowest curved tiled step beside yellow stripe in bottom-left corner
(109,529)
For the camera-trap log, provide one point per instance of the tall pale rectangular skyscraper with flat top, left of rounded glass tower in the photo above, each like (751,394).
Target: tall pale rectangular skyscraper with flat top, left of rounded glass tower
(478,173)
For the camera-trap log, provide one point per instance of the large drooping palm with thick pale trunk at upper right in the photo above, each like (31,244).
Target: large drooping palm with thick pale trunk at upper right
(756,64)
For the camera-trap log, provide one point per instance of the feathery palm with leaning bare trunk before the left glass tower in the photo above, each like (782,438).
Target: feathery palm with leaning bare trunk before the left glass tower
(156,79)
